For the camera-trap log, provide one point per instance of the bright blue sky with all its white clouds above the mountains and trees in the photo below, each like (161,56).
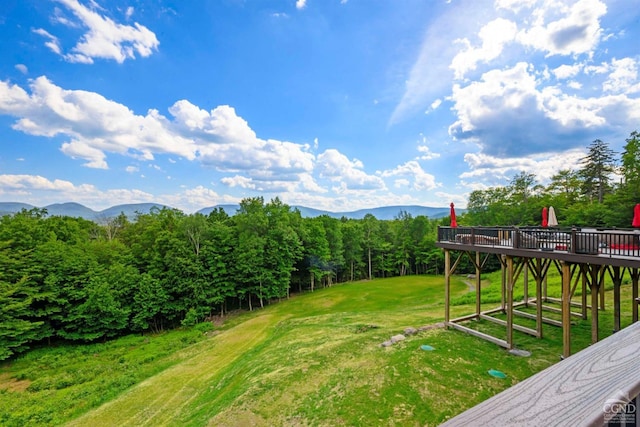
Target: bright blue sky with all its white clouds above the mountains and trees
(331,104)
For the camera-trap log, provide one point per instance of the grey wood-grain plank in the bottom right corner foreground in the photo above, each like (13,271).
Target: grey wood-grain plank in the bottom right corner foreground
(583,390)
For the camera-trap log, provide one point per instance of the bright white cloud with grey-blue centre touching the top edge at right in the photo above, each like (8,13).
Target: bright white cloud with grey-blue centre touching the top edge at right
(560,29)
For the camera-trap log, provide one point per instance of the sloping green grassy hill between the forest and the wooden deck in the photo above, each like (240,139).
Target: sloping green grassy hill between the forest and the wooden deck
(315,359)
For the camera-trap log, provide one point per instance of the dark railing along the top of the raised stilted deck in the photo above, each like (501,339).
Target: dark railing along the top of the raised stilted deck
(589,241)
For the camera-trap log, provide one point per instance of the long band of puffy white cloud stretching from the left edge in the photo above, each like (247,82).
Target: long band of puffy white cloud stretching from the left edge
(219,139)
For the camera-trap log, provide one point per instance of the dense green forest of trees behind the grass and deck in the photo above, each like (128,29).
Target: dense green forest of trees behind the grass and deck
(70,279)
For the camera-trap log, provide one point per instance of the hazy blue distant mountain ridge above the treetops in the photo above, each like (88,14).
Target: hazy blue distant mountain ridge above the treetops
(131,210)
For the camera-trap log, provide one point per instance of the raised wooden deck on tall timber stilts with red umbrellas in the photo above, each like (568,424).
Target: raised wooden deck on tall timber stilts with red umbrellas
(583,257)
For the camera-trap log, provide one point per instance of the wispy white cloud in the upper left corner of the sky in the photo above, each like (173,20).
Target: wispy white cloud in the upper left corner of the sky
(104,38)
